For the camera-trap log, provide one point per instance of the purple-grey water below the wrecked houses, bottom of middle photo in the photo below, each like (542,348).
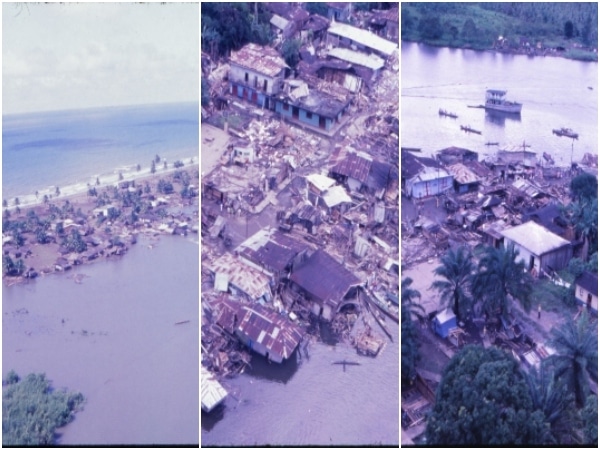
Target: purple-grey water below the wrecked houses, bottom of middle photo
(311,402)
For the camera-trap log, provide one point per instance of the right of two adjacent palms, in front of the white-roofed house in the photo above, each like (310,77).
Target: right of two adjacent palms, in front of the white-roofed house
(500,278)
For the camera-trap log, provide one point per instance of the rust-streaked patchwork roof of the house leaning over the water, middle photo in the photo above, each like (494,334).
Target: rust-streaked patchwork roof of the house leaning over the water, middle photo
(266,327)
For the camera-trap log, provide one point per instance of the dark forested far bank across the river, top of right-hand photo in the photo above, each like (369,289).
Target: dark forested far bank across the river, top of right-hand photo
(506,26)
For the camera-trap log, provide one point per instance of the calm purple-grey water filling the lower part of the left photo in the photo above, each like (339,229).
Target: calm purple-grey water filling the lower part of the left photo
(115,338)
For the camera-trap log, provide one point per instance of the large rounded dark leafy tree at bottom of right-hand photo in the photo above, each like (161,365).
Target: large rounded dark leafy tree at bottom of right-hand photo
(483,399)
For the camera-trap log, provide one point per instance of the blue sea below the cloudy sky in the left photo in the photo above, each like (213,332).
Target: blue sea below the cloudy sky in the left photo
(69,149)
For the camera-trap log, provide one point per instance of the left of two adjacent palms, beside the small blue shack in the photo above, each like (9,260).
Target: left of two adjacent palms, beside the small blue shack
(457,270)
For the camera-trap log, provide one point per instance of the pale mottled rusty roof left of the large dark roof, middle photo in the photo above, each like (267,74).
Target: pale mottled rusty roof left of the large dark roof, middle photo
(244,277)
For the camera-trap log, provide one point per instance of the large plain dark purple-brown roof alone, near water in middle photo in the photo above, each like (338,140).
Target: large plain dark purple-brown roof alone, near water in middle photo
(324,278)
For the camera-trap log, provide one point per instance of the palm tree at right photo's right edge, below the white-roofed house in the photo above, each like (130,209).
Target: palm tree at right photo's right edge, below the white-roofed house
(576,359)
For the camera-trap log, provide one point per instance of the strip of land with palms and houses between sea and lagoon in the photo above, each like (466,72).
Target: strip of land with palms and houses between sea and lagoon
(48,233)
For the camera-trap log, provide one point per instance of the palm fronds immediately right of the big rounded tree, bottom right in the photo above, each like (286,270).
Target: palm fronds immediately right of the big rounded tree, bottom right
(551,396)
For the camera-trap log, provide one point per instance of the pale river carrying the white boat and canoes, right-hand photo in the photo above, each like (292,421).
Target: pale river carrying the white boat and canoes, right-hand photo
(555,93)
